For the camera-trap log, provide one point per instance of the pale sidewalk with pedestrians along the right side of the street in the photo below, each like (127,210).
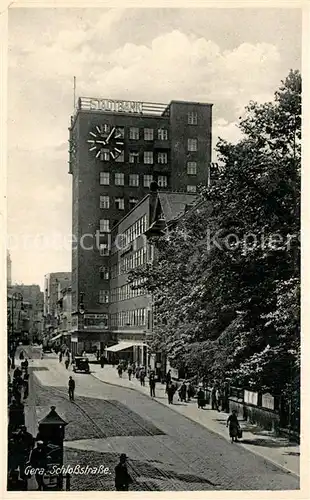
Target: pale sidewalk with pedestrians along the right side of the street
(275,449)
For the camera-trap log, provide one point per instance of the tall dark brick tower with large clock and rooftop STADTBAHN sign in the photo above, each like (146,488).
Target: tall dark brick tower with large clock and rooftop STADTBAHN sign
(117,148)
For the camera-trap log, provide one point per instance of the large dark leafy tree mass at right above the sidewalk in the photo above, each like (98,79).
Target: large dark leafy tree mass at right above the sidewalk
(236,256)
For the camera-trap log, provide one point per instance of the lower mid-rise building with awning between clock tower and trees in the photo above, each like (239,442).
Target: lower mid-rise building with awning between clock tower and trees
(130,307)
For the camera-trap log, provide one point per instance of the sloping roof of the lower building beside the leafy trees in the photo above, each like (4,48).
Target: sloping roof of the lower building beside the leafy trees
(174,205)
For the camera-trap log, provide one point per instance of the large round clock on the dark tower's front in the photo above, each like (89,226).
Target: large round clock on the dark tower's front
(107,141)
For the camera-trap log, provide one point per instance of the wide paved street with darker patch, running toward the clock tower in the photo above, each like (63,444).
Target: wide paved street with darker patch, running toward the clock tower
(166,451)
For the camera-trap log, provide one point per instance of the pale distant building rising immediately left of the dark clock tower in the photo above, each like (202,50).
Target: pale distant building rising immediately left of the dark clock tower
(52,281)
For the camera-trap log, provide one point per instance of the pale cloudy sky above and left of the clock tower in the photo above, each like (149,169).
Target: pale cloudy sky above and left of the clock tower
(223,56)
